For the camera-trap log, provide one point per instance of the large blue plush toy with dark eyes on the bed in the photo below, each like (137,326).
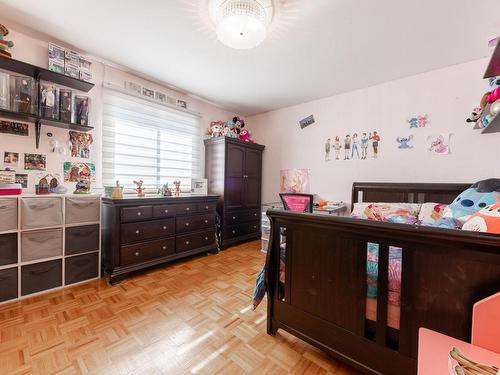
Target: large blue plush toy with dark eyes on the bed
(477,197)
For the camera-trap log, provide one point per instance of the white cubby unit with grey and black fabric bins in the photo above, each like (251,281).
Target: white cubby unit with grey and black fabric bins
(48,242)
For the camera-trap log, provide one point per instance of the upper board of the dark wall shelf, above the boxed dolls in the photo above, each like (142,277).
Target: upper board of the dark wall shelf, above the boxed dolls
(37,72)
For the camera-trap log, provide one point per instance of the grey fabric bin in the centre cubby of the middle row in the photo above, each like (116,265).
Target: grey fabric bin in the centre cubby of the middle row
(41,244)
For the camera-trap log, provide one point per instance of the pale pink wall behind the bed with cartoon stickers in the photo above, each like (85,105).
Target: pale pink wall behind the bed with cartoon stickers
(447,95)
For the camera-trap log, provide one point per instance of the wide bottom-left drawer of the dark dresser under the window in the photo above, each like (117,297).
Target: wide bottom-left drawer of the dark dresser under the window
(132,254)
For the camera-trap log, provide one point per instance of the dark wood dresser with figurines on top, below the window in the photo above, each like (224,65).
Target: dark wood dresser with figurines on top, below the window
(143,232)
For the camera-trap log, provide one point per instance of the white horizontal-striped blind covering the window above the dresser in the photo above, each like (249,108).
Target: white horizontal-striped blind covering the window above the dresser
(149,142)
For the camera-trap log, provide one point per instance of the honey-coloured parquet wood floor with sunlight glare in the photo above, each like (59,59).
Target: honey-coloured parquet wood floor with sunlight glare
(191,317)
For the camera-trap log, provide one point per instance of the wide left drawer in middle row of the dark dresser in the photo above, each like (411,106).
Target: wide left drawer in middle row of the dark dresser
(147,230)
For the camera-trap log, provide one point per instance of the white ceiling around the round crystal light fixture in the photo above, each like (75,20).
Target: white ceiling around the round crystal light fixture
(315,48)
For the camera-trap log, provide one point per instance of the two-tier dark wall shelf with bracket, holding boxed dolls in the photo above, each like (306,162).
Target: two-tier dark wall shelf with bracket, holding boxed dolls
(43,74)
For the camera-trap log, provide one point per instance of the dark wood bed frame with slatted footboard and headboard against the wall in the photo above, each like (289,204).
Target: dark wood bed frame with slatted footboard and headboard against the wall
(323,301)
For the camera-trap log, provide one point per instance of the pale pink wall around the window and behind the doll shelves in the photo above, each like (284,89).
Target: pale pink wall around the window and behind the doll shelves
(34,51)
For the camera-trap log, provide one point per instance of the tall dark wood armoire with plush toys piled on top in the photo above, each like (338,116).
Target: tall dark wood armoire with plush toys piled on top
(234,172)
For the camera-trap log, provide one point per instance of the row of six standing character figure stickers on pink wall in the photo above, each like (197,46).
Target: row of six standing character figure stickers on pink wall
(356,146)
